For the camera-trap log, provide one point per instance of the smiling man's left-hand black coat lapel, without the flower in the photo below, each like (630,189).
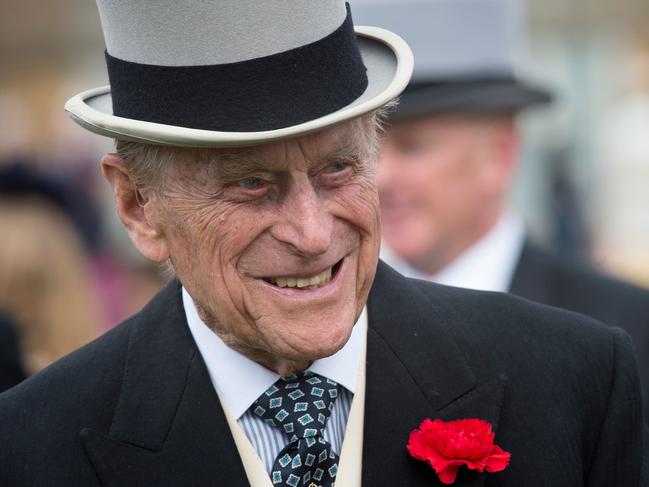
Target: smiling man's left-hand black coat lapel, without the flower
(168,428)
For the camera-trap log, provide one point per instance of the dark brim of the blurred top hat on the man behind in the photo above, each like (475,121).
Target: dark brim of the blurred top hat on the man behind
(467,96)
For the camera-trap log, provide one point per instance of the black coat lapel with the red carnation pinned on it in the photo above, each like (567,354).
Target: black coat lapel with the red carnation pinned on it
(415,370)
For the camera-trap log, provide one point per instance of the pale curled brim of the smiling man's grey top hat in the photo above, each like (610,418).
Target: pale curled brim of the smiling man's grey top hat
(386,56)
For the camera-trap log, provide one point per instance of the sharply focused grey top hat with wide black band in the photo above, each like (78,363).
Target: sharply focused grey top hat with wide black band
(237,72)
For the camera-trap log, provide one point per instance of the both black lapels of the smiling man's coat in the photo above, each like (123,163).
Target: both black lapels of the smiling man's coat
(169,428)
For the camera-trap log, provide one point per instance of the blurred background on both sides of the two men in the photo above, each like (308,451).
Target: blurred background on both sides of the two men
(582,186)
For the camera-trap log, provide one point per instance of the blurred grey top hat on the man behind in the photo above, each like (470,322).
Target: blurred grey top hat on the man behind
(465,54)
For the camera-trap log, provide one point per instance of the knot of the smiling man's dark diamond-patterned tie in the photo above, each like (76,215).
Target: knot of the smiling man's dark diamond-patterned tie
(298,404)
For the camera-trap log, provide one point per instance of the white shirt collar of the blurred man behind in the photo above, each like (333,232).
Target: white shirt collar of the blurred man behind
(488,265)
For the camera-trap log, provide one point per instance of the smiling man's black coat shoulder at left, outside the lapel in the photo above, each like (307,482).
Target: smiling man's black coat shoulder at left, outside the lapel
(41,418)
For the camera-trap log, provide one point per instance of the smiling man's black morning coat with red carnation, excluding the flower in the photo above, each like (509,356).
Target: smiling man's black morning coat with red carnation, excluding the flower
(136,407)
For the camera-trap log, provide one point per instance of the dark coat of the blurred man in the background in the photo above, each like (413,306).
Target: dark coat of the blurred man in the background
(547,278)
